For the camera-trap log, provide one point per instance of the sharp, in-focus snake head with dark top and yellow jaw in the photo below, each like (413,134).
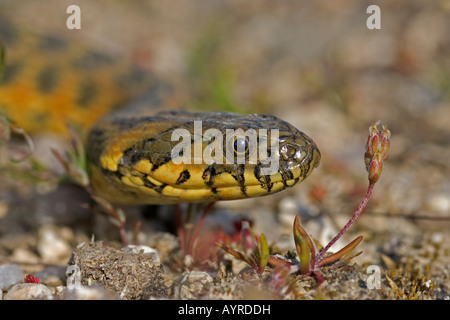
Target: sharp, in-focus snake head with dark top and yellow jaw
(181,156)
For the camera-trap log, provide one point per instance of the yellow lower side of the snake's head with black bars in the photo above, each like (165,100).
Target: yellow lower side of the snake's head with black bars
(174,183)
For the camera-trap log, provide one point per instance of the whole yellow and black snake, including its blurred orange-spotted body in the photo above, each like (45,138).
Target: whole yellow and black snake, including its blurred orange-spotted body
(133,118)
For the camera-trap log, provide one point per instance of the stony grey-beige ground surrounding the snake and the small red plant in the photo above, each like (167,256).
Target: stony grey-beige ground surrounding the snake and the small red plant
(316,65)
